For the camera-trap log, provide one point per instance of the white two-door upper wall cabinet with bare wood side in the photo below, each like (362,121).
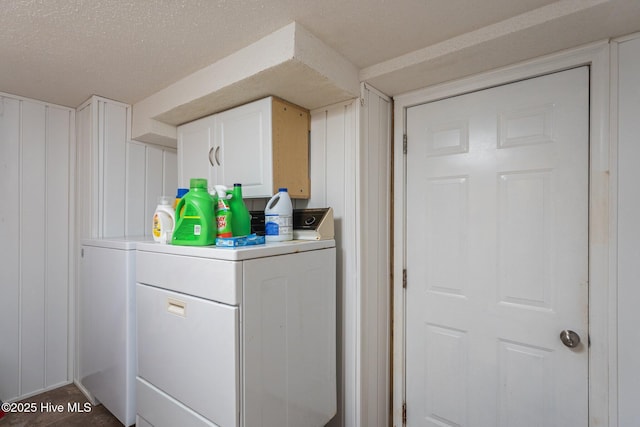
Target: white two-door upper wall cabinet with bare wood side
(262,145)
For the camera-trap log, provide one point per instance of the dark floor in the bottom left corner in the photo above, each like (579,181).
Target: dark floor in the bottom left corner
(46,414)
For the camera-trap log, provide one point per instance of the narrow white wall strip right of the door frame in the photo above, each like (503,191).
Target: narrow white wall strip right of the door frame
(625,124)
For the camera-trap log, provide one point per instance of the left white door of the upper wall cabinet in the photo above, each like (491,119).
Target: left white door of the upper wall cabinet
(196,151)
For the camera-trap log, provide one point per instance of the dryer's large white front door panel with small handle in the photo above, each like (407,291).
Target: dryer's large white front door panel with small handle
(189,348)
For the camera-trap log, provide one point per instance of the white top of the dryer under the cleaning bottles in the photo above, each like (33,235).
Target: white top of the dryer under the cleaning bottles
(239,253)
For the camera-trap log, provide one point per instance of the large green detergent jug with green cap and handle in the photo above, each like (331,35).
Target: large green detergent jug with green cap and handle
(195,224)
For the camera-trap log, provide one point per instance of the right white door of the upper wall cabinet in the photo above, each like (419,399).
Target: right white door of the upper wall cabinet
(243,142)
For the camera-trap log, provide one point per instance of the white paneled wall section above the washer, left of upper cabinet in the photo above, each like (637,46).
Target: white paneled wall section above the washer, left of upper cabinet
(119,181)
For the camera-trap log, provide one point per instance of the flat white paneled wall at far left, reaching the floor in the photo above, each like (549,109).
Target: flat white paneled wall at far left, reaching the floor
(35,178)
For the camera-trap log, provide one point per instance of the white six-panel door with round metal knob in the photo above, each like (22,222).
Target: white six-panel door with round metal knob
(497,256)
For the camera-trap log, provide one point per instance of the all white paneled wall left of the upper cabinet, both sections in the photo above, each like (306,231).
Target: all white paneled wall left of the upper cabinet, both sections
(61,183)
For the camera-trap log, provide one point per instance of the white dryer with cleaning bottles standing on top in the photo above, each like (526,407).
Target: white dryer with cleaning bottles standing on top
(236,337)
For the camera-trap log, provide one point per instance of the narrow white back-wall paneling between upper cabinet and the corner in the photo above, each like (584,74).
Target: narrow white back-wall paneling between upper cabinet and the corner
(334,177)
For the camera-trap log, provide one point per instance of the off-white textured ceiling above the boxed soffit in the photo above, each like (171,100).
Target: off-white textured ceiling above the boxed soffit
(63,51)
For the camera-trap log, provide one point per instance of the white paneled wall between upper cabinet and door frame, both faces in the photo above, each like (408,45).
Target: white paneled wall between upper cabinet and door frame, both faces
(350,160)
